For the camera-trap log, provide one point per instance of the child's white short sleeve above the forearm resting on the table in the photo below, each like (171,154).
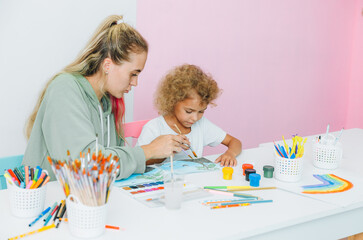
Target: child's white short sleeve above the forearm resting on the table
(212,134)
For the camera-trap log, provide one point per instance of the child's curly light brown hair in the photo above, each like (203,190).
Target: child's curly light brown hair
(179,82)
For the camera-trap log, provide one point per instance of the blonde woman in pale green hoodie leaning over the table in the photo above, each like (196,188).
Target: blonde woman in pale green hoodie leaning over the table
(86,100)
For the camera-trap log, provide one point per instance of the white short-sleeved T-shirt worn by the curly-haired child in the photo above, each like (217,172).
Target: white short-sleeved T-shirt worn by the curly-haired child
(203,133)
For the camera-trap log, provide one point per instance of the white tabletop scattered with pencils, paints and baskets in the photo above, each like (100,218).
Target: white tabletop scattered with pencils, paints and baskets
(291,215)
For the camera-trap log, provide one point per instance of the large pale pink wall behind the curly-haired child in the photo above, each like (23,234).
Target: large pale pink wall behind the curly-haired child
(283,64)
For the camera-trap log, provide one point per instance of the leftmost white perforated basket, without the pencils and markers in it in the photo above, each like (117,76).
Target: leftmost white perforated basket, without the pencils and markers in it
(26,203)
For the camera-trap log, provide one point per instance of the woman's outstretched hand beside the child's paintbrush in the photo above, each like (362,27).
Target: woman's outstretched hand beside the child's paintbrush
(165,145)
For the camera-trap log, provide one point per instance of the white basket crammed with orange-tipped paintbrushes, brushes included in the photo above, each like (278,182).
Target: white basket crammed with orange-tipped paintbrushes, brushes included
(87,184)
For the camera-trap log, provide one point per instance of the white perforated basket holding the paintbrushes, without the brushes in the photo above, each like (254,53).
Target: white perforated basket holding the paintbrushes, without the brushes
(85,221)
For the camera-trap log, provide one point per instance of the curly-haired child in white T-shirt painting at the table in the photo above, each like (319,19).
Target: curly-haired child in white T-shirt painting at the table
(182,97)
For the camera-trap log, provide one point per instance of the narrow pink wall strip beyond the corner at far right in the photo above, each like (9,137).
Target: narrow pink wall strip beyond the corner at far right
(355,106)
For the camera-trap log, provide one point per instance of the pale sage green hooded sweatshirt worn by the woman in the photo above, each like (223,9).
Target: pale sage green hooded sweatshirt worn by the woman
(69,119)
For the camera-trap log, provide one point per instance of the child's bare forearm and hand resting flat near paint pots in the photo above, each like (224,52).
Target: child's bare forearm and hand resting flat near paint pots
(234,149)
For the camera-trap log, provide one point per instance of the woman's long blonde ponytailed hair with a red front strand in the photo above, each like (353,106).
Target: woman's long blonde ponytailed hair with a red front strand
(114,39)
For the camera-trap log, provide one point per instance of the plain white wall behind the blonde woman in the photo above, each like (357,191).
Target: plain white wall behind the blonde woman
(37,39)
